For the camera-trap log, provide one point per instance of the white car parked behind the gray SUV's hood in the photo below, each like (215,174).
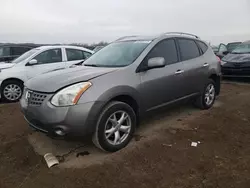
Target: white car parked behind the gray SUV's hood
(35,62)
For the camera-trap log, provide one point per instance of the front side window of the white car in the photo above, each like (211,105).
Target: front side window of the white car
(49,56)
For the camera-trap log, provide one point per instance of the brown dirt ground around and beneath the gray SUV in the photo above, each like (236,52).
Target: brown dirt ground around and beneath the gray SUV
(160,155)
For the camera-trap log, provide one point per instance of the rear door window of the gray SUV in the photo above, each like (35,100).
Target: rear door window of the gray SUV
(188,49)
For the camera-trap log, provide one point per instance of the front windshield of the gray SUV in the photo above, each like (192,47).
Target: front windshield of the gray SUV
(118,54)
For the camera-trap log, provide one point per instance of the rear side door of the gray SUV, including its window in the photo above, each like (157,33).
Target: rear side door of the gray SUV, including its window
(194,65)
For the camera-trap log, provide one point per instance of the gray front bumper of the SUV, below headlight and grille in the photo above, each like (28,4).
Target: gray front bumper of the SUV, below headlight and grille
(77,120)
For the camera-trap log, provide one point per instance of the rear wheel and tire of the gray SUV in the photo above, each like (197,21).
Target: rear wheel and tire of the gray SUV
(202,102)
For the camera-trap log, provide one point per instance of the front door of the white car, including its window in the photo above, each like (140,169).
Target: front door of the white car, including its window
(47,61)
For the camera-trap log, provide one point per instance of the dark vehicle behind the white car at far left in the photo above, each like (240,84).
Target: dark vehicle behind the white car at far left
(10,52)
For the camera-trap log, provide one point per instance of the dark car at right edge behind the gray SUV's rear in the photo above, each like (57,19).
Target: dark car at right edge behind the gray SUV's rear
(237,63)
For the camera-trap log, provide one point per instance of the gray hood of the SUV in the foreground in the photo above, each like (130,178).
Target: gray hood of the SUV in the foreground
(53,81)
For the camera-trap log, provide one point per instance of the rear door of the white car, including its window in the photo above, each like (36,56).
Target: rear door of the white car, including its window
(75,56)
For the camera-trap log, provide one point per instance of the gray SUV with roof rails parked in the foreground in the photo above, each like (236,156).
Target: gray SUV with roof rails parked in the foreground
(119,84)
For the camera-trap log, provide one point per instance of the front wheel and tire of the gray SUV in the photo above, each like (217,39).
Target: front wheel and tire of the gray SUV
(103,137)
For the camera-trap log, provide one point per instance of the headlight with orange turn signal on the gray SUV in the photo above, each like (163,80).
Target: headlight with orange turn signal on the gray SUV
(70,95)
